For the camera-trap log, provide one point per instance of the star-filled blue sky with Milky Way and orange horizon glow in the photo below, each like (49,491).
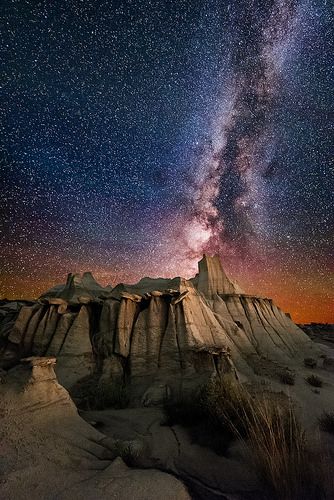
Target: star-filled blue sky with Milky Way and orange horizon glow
(137,135)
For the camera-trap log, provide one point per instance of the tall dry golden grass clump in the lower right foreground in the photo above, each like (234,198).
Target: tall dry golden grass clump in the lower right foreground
(276,441)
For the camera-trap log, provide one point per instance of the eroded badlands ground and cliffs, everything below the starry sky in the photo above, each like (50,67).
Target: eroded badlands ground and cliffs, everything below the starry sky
(107,392)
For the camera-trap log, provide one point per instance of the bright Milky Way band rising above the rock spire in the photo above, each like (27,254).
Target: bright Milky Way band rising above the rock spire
(240,151)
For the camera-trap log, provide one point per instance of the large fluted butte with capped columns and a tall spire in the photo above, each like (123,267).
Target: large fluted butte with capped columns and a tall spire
(157,336)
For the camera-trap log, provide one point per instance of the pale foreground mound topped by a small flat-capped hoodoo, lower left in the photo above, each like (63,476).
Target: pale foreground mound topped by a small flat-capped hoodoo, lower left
(49,452)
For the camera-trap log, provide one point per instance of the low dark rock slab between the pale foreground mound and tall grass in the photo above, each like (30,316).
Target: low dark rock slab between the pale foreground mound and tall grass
(208,474)
